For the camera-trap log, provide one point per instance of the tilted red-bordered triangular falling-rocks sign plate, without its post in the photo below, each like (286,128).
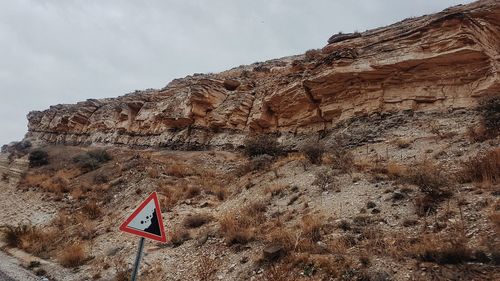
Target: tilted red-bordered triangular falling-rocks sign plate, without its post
(146,221)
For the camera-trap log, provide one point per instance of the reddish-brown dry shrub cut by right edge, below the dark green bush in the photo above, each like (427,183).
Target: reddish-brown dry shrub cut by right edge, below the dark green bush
(484,167)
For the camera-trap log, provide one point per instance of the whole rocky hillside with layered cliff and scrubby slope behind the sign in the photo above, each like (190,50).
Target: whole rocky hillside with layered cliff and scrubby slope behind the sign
(376,158)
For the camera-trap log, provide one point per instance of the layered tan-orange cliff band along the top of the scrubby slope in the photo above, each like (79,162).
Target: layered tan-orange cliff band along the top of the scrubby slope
(439,62)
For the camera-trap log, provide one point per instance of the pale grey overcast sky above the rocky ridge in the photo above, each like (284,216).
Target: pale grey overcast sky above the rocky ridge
(64,51)
